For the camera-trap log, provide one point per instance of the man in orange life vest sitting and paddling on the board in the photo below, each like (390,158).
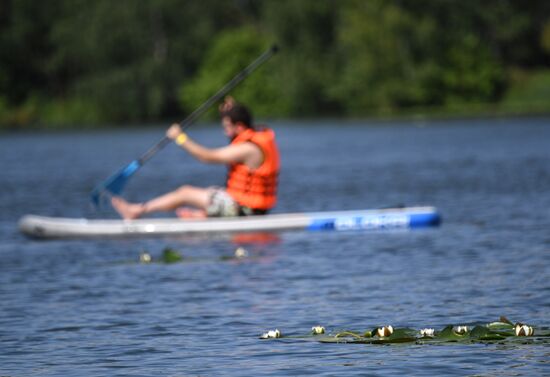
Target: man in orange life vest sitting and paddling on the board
(252,159)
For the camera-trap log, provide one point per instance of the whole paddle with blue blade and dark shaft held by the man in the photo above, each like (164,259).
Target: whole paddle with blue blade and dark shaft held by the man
(116,182)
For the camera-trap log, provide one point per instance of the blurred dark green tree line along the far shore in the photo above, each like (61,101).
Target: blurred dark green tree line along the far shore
(74,62)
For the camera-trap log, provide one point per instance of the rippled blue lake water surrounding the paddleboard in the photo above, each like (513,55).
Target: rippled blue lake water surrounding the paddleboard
(89,308)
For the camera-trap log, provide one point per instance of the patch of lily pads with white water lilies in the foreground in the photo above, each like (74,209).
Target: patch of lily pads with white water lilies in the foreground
(499,331)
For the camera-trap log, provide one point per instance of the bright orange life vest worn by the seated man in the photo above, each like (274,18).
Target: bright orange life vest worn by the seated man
(255,189)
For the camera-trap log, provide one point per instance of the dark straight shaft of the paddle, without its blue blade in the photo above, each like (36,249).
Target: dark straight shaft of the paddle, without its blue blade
(191,118)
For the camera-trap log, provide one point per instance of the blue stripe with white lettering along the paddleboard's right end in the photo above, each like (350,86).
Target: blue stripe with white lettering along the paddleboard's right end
(375,221)
